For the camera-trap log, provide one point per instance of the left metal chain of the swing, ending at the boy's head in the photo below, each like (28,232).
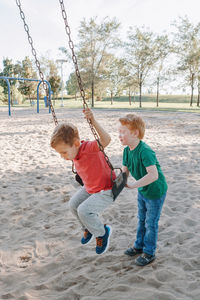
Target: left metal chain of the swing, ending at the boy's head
(30,40)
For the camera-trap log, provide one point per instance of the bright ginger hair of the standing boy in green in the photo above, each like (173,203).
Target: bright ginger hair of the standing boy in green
(132,121)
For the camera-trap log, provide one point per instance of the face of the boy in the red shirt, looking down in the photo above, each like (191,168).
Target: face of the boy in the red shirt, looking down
(66,151)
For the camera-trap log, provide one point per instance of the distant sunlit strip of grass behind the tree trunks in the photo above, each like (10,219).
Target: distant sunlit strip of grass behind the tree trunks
(166,103)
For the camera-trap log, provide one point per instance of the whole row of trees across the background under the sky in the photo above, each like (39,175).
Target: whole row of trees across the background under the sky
(111,66)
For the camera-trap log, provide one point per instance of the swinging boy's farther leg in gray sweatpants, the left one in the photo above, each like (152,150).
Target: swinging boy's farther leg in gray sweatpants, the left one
(79,197)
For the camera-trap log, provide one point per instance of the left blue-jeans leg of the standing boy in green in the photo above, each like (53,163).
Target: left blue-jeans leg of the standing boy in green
(139,243)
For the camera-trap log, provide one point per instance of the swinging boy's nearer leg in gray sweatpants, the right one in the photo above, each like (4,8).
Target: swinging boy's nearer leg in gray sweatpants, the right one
(90,209)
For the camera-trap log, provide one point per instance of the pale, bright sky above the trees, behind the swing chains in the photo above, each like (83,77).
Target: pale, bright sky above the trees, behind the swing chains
(47,29)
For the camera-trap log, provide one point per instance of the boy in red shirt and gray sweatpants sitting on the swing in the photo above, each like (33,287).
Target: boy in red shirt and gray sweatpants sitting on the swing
(96,194)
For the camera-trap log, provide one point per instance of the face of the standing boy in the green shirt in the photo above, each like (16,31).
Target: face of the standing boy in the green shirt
(126,136)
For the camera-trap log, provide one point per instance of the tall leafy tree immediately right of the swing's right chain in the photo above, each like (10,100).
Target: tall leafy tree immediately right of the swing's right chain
(95,41)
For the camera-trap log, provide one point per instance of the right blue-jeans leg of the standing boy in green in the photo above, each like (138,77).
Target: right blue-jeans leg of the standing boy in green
(154,208)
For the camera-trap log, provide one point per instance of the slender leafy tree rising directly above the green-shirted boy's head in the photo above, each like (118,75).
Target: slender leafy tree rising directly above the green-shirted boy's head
(141,54)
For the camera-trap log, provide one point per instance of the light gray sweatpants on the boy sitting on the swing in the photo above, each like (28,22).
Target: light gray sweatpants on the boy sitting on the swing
(87,207)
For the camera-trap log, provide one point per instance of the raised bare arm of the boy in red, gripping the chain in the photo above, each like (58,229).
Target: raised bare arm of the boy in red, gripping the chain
(104,137)
